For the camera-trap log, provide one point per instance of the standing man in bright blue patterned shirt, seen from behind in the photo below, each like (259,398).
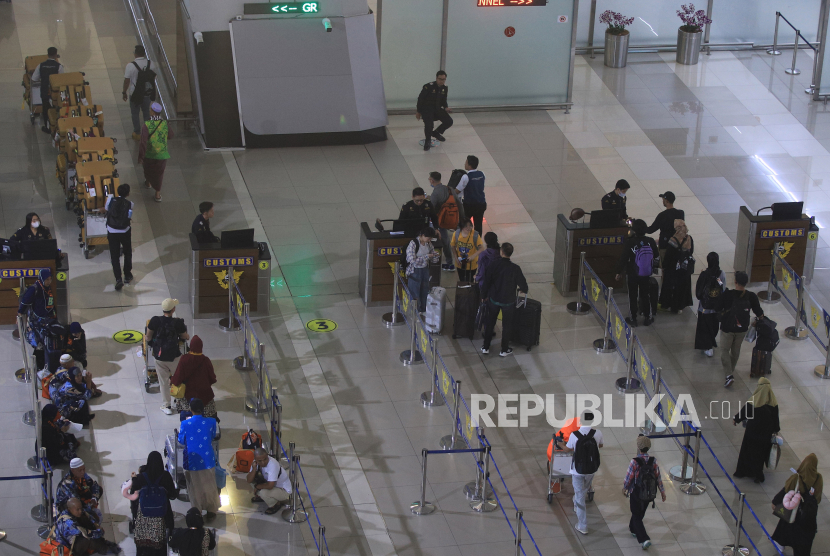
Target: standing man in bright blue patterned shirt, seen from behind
(196,435)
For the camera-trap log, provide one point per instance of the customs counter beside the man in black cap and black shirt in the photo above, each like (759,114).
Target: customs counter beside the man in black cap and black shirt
(602,246)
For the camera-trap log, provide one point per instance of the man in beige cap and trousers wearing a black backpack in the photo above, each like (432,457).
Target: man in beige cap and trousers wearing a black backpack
(163,336)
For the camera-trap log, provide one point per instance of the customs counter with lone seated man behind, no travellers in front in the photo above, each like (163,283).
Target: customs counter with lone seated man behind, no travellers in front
(209,264)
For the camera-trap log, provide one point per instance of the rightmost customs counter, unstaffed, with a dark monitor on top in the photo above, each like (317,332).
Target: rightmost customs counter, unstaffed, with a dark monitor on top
(757,235)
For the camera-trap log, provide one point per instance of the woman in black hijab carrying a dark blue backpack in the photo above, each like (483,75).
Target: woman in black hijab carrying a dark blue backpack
(151,532)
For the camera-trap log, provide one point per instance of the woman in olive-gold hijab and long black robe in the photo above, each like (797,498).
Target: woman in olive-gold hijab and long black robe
(761,416)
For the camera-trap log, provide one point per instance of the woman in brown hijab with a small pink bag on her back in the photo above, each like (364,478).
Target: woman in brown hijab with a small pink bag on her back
(801,533)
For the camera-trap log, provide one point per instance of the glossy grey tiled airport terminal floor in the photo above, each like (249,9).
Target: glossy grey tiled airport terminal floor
(733,130)
